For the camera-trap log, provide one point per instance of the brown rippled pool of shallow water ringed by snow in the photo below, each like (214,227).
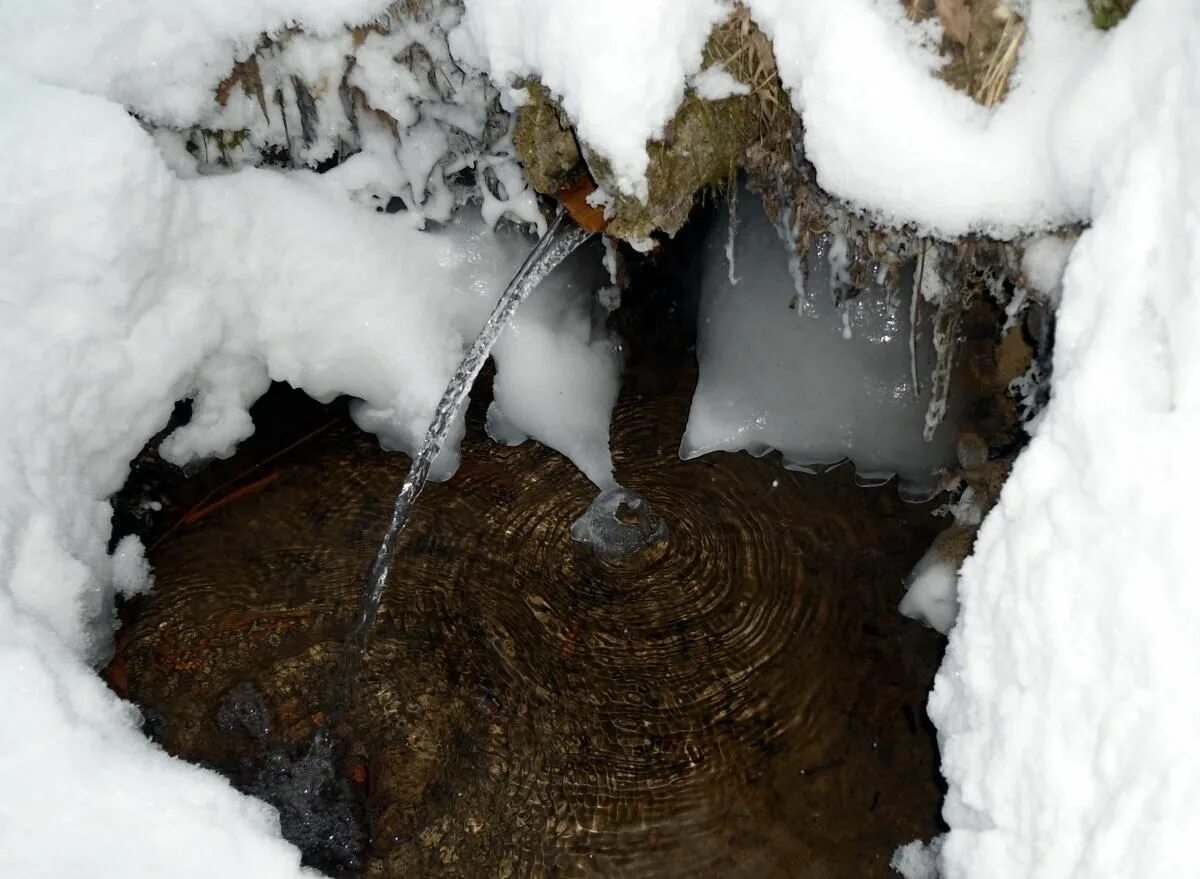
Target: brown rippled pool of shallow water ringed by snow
(740,701)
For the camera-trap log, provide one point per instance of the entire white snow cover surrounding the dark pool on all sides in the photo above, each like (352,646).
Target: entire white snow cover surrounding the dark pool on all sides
(1067,705)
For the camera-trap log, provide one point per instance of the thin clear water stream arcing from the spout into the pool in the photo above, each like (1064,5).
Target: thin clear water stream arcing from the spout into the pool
(560,242)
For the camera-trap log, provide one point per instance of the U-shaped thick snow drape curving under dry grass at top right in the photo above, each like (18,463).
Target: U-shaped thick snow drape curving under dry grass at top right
(885,134)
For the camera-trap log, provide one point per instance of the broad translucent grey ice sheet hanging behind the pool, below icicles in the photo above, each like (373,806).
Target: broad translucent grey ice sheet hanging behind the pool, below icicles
(819,381)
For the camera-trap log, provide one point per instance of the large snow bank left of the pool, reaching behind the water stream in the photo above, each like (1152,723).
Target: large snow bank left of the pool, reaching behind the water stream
(127,289)
